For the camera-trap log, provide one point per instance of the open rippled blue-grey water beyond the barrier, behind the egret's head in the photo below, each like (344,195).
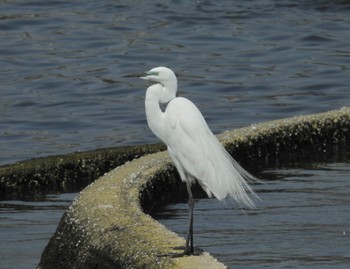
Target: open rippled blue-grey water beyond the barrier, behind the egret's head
(63,66)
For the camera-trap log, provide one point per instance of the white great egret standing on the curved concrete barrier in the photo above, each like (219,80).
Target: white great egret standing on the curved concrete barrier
(194,149)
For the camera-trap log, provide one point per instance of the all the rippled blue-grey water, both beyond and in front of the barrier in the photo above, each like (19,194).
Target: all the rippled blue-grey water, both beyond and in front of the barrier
(64,88)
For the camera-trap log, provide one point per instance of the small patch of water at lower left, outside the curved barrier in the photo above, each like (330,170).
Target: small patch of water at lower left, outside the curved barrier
(25,228)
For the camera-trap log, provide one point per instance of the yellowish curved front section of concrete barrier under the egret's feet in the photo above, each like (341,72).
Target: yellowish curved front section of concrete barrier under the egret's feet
(106,227)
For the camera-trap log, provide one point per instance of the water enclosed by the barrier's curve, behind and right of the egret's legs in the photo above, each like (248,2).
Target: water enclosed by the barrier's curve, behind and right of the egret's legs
(303,221)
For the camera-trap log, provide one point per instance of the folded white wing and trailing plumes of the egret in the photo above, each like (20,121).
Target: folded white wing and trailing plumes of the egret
(196,151)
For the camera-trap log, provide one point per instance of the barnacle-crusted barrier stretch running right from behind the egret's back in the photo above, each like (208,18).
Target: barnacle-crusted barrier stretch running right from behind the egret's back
(302,138)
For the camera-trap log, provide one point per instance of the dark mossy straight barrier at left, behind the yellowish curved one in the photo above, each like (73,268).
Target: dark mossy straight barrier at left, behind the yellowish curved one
(66,173)
